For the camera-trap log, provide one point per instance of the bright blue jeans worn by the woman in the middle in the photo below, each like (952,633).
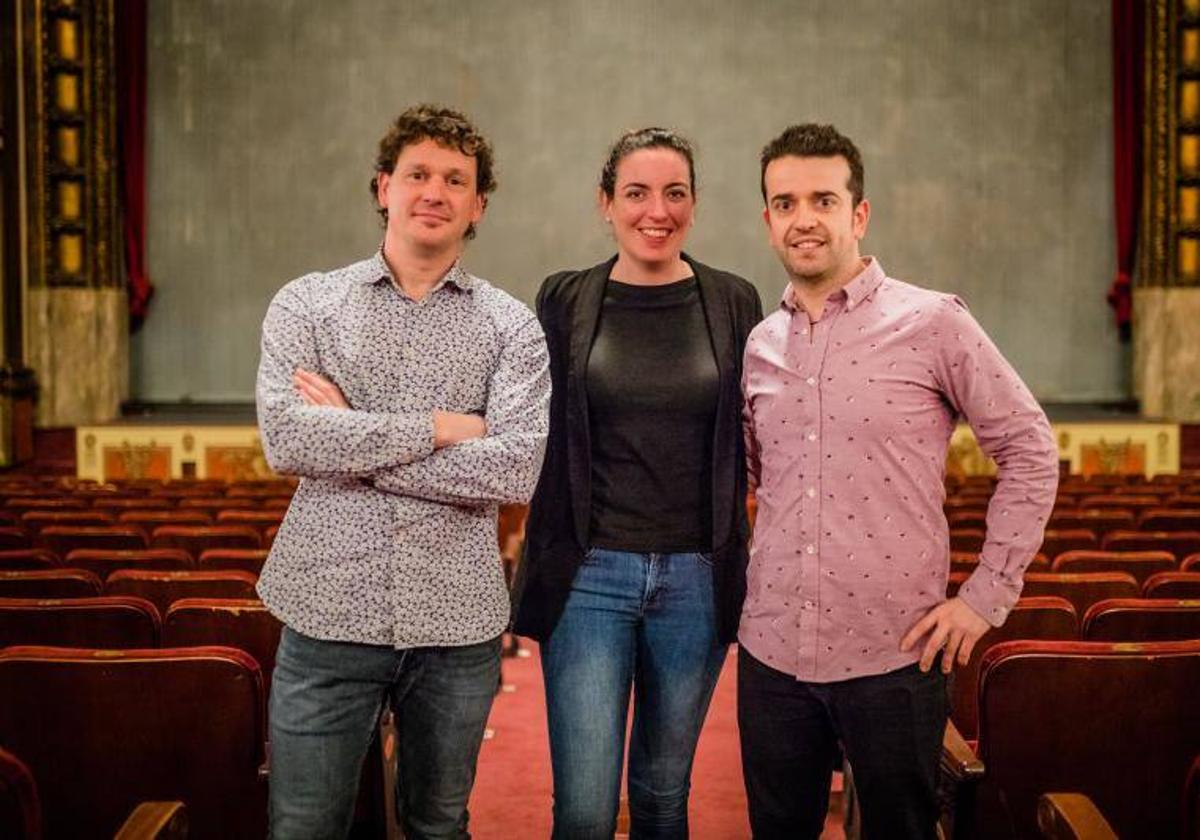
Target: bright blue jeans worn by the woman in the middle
(634,621)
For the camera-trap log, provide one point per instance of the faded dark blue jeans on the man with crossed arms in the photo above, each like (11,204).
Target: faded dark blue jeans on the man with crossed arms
(326,705)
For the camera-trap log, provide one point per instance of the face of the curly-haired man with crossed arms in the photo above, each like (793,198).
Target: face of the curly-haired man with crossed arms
(431,197)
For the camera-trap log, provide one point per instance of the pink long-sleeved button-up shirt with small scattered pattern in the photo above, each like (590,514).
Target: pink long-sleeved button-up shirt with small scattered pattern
(848,423)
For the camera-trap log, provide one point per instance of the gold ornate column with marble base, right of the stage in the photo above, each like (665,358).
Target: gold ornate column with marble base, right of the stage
(1167,295)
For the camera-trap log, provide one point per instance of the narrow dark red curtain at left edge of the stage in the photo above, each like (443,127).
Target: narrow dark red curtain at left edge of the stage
(131,128)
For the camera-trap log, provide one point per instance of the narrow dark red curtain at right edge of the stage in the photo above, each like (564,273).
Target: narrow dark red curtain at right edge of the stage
(1129,51)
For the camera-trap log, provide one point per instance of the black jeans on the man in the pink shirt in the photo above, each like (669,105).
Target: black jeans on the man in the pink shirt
(890,727)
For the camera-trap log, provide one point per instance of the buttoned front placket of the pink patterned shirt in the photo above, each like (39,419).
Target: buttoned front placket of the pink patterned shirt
(812,341)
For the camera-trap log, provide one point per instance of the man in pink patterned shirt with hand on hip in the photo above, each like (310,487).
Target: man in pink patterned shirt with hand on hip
(853,389)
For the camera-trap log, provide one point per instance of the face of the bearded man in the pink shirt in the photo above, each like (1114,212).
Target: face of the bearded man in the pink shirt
(812,219)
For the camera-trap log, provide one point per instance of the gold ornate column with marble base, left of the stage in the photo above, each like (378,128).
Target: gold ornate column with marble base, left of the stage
(77,317)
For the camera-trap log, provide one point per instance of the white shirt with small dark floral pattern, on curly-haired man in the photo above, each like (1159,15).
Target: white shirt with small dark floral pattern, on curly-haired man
(389,542)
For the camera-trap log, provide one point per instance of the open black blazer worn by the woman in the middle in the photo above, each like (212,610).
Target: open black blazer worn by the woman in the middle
(560,515)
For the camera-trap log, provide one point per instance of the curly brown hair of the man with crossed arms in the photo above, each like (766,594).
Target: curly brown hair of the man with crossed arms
(445,127)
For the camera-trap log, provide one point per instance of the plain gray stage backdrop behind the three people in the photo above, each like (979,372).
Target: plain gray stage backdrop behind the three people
(986,128)
